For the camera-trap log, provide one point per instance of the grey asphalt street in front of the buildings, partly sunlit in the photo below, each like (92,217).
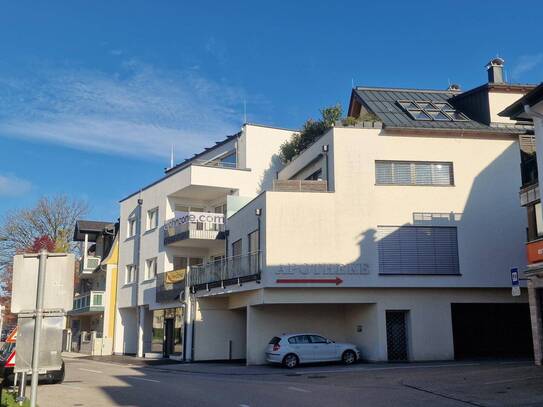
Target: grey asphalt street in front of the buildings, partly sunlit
(96,383)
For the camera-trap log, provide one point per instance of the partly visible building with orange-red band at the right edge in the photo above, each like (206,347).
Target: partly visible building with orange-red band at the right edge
(530,108)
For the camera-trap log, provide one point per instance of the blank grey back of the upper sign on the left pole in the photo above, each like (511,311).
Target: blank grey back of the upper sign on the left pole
(59,282)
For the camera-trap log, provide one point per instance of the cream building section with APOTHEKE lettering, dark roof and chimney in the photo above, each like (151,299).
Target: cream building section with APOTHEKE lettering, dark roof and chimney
(396,234)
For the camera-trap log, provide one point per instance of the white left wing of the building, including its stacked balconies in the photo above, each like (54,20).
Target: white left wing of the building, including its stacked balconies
(176,223)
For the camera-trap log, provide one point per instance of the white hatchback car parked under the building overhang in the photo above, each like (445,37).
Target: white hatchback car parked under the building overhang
(293,349)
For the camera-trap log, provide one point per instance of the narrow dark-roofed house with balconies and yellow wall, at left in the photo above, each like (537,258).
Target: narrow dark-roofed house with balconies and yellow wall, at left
(91,320)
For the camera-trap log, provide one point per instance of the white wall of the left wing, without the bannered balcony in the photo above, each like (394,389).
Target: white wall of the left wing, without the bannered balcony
(199,184)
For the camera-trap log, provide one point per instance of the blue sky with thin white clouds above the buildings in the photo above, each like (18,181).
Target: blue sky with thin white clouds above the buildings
(93,94)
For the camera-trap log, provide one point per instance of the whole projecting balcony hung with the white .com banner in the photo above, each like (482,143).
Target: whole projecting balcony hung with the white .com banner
(195,229)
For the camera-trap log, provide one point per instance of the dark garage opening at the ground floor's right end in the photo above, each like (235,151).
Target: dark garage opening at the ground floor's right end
(491,330)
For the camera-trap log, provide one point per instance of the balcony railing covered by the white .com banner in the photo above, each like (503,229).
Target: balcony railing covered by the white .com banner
(194,225)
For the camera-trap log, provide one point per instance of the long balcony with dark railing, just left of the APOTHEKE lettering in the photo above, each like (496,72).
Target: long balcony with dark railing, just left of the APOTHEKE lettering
(229,271)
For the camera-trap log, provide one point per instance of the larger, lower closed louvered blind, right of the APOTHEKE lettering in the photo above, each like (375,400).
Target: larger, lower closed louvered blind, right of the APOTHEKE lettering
(418,250)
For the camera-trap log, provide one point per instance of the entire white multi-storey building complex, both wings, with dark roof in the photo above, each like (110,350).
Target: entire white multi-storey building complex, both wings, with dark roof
(395,234)
